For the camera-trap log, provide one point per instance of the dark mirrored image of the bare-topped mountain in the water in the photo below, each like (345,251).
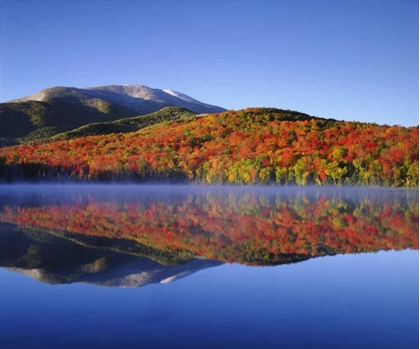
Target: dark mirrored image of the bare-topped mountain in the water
(54,260)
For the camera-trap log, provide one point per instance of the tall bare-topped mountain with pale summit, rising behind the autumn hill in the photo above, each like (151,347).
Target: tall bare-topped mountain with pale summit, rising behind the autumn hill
(61,109)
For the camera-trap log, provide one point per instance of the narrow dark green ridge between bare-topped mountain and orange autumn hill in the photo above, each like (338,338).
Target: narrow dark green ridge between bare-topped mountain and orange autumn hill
(127,124)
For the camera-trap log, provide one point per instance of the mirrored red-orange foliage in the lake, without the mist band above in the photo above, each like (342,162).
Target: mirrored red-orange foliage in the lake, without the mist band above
(239,227)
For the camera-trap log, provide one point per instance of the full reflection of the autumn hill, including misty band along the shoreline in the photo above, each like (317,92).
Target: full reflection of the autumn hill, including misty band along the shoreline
(258,227)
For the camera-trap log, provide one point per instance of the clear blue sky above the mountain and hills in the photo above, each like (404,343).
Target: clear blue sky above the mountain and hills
(347,59)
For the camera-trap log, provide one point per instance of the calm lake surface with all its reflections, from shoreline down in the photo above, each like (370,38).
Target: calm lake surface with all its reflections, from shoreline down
(207,267)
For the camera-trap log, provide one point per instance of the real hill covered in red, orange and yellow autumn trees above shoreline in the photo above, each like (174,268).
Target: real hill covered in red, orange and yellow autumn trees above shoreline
(252,146)
